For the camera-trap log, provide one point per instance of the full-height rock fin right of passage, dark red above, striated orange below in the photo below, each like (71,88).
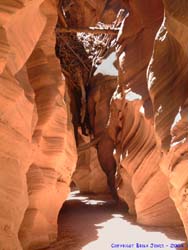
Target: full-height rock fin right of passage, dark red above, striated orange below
(140,181)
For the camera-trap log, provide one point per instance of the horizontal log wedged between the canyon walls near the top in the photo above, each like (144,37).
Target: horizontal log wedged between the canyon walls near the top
(89,30)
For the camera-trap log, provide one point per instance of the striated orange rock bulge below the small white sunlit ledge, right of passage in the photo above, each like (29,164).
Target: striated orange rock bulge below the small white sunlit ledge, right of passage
(140,181)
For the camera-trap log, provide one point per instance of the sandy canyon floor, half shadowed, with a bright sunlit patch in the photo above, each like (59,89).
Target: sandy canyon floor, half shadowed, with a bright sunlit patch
(92,222)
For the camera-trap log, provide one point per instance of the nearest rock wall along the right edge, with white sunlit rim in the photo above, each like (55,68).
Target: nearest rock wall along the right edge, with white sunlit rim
(168,76)
